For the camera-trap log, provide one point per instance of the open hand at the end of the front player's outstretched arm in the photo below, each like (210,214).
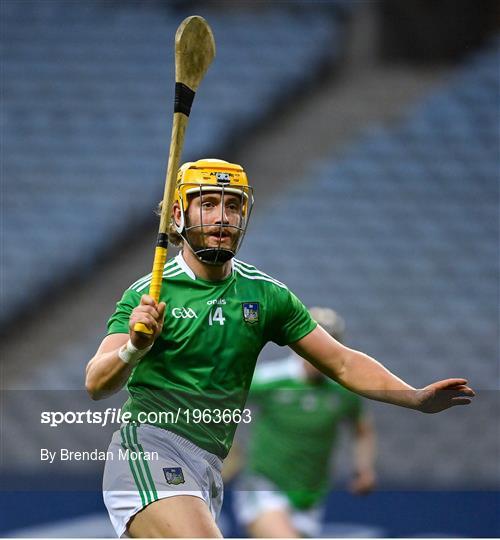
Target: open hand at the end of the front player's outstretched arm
(442,395)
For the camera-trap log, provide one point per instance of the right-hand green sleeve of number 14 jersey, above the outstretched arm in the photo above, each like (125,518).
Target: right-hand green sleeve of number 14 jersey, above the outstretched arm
(291,319)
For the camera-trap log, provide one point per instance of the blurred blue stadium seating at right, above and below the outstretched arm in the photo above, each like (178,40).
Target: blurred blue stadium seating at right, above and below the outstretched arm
(401,234)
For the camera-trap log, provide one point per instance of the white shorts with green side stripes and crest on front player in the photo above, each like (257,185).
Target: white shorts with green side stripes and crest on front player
(146,463)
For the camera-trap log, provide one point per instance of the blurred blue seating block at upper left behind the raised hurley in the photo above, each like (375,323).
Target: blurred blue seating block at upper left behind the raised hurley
(86,115)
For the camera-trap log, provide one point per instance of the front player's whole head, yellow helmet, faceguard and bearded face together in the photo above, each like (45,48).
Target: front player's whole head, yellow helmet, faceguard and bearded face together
(215,239)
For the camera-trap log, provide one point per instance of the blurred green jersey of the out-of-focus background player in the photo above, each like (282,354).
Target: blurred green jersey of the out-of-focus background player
(295,429)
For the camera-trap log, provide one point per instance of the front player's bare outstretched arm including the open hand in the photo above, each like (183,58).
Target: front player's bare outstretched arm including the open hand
(364,375)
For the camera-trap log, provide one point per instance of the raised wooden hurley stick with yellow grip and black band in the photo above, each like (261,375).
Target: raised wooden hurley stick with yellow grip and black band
(194,52)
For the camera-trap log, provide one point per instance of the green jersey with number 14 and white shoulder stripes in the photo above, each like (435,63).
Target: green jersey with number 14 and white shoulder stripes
(198,373)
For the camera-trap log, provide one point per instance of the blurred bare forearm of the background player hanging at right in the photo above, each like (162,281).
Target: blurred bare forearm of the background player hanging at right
(364,455)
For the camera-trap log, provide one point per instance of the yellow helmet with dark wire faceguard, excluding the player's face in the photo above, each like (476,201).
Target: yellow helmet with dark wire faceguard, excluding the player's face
(209,175)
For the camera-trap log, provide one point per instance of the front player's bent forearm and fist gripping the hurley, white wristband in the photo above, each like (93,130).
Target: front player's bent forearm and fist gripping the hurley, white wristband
(109,369)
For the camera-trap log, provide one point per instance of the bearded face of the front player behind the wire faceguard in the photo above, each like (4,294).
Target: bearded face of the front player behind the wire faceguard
(214,220)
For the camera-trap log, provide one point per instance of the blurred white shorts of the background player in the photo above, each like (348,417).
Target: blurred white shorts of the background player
(254,495)
